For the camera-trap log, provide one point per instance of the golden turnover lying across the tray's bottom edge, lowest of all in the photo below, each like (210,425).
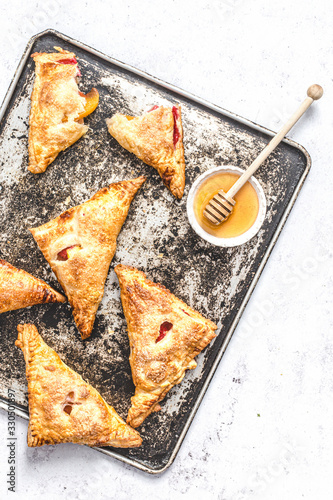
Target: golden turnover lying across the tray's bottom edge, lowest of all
(63,408)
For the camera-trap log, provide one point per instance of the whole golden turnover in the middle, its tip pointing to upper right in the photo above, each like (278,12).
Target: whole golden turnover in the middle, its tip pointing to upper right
(80,244)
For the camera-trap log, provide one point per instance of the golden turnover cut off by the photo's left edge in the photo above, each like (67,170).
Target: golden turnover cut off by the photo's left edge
(19,289)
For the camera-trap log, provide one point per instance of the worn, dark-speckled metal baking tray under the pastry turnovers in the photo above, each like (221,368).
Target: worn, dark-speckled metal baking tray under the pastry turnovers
(156,236)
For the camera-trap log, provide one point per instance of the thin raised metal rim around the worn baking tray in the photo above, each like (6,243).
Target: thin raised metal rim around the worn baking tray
(253,125)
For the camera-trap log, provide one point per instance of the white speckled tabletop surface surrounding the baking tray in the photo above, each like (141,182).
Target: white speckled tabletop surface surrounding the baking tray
(257,59)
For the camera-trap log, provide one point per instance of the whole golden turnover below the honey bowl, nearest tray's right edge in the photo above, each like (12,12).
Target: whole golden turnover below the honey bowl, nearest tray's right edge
(165,335)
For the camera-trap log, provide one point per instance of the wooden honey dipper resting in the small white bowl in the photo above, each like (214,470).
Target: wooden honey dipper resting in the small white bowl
(221,205)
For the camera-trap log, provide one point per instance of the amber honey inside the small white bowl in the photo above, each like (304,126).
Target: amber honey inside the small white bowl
(244,213)
